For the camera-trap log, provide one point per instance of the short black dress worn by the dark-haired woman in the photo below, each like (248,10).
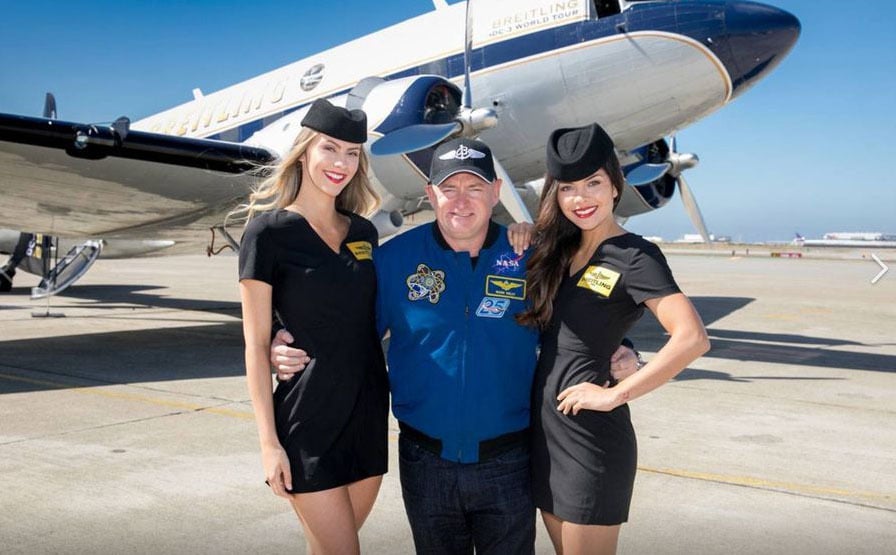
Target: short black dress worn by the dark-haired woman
(583,466)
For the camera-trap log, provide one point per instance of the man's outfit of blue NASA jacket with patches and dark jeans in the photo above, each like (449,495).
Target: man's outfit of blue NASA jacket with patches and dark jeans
(460,370)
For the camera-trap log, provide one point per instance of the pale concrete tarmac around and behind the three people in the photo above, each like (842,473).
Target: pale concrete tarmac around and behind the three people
(125,425)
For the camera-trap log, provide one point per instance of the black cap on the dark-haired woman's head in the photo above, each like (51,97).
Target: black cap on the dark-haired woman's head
(575,153)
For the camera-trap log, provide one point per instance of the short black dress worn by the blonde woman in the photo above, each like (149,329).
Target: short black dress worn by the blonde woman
(331,418)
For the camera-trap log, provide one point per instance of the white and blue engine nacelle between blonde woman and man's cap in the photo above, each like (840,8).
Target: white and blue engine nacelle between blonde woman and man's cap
(399,103)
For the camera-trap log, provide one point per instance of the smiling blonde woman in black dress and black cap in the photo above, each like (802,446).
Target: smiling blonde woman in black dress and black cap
(306,259)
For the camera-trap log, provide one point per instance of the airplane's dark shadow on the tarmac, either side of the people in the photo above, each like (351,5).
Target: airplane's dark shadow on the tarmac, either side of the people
(211,350)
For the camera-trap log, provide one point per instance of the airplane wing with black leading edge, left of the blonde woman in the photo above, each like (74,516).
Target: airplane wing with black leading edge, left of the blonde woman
(72,179)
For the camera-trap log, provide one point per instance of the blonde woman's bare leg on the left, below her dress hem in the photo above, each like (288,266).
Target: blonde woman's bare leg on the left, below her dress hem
(328,519)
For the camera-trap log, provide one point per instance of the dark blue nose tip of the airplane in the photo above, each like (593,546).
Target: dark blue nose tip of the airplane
(758,37)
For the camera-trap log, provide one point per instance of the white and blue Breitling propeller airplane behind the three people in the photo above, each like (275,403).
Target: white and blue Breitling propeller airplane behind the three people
(508,71)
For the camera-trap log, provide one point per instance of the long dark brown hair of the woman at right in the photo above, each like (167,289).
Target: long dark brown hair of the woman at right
(557,240)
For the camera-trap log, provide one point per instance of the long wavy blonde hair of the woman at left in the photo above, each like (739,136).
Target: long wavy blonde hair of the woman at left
(284,180)
